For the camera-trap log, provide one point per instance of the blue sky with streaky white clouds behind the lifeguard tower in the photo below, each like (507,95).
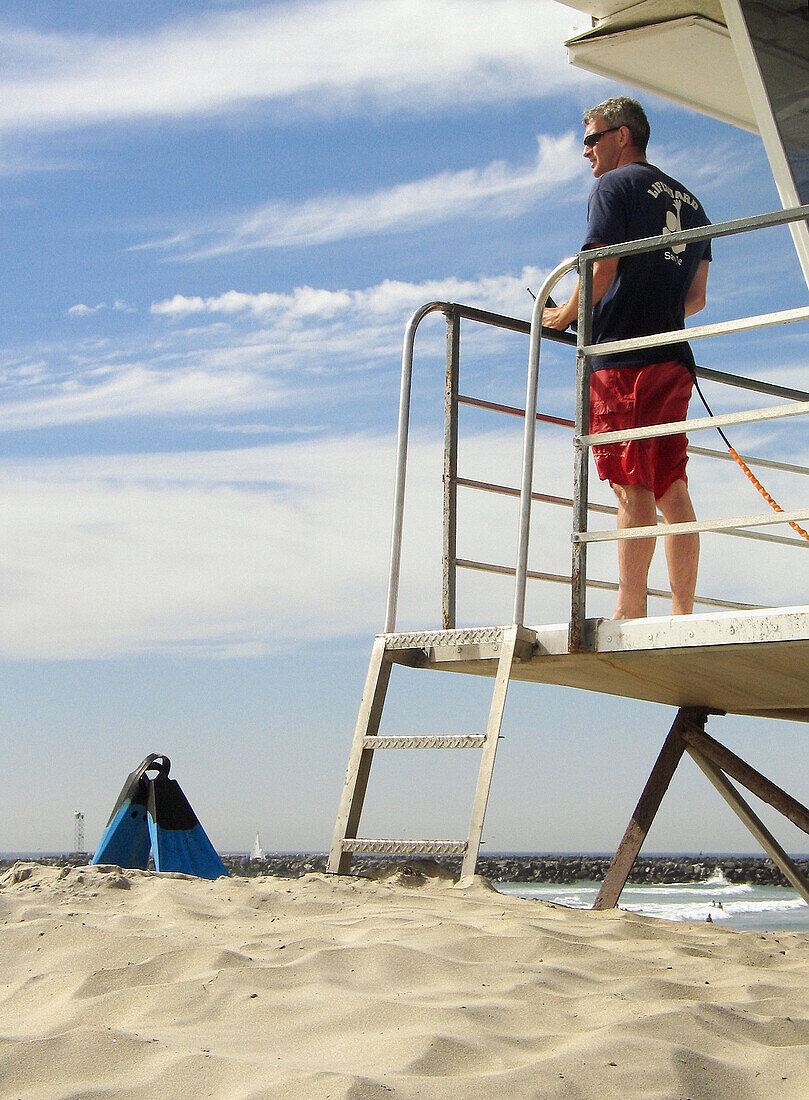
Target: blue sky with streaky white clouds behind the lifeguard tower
(217,218)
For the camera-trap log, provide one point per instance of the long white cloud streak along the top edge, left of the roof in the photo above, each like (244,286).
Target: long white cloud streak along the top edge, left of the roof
(321,57)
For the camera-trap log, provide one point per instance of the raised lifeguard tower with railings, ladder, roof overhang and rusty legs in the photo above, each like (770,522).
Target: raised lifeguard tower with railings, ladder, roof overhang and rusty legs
(747,63)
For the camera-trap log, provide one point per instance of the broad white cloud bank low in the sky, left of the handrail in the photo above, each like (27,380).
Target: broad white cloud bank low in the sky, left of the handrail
(234,553)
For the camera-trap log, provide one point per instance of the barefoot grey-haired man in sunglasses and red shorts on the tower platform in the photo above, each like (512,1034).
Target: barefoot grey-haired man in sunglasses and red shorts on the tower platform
(632,298)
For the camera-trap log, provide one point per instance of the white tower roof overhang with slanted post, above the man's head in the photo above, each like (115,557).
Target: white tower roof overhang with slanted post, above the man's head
(745,62)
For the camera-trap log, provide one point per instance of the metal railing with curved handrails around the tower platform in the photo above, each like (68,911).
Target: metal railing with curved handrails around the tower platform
(583,441)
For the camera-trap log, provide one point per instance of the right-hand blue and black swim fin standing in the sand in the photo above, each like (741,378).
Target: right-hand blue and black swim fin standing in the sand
(179,841)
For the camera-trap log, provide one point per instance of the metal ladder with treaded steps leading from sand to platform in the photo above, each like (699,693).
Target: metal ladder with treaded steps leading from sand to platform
(497,646)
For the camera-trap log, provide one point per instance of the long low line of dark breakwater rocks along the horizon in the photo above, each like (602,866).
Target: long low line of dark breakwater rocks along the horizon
(562,870)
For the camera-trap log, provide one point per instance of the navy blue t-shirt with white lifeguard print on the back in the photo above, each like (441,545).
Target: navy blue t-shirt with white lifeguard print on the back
(649,292)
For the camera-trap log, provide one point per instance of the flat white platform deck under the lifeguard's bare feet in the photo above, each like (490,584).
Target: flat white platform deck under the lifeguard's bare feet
(741,663)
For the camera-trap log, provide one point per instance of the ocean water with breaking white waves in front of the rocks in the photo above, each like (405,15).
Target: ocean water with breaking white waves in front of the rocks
(729,905)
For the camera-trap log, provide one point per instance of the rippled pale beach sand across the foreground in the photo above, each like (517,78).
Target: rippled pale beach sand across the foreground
(129,984)
